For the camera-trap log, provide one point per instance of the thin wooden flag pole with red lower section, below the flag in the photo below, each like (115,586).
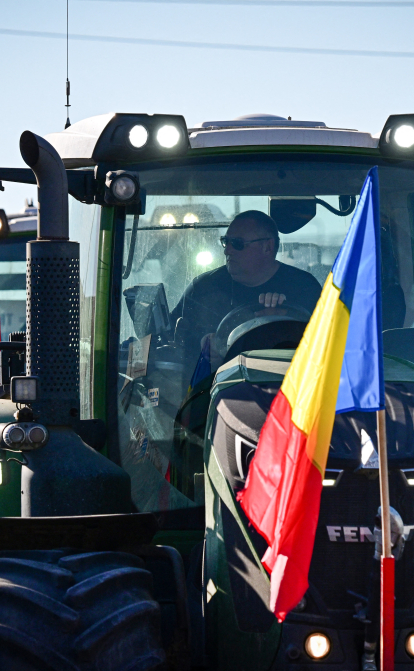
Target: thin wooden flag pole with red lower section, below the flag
(387,560)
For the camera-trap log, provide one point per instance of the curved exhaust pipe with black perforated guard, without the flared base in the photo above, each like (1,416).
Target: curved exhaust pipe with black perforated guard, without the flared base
(52,288)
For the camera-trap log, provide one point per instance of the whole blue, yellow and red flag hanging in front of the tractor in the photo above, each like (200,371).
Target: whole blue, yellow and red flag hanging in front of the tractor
(336,368)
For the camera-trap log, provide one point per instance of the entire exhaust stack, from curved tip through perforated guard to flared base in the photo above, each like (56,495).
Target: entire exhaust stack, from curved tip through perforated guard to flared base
(64,476)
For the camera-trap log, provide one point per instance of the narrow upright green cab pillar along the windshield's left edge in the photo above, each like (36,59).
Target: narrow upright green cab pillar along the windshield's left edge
(102,306)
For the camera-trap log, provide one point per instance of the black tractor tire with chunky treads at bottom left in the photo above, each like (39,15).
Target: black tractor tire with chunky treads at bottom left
(65,611)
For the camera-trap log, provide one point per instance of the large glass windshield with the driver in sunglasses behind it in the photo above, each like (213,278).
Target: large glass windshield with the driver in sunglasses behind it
(184,311)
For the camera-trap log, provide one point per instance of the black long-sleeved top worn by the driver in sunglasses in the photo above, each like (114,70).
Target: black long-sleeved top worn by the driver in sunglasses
(212,295)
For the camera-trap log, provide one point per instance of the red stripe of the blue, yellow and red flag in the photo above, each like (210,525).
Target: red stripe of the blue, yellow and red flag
(281,499)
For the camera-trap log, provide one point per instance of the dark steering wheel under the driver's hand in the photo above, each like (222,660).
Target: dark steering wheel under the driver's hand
(243,318)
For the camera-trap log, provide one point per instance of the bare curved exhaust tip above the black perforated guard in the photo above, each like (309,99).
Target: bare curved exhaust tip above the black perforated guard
(52,183)
